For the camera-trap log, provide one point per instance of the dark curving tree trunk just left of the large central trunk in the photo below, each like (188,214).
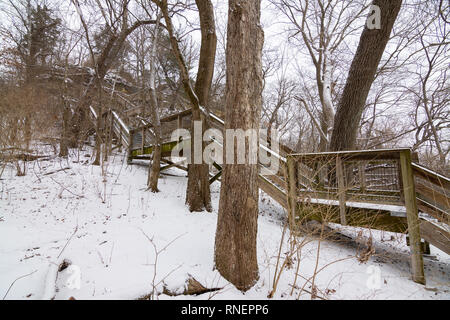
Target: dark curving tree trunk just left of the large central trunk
(198,196)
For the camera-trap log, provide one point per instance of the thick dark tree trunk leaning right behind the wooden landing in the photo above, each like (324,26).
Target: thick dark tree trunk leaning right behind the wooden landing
(361,76)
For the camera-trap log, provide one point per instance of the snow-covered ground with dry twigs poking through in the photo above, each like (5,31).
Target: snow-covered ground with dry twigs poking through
(109,227)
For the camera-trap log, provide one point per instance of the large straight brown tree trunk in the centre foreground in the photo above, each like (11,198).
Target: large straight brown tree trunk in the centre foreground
(235,244)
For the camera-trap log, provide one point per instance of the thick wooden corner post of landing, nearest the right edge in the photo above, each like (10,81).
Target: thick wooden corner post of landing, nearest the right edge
(412,216)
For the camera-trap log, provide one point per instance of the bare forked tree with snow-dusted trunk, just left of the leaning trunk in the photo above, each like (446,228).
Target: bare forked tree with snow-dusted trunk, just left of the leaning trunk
(324,28)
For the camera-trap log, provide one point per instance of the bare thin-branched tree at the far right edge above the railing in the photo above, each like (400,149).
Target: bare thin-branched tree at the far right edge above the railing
(431,93)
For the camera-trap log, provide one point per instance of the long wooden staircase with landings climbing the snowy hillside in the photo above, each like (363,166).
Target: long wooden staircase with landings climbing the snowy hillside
(346,181)
